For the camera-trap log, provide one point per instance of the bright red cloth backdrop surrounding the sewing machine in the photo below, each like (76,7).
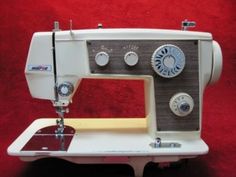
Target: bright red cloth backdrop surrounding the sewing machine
(20,19)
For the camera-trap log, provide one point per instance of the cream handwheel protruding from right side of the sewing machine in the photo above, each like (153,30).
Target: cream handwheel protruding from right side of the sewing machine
(216,63)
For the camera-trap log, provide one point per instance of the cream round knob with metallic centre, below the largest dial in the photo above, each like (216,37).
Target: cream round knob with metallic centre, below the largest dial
(181,104)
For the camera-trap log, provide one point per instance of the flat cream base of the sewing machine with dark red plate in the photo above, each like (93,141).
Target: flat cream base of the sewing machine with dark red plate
(127,146)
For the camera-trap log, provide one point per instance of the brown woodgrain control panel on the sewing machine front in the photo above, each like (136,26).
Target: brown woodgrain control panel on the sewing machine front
(187,81)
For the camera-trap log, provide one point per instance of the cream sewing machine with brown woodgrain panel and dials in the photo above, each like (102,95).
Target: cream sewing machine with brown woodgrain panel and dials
(175,67)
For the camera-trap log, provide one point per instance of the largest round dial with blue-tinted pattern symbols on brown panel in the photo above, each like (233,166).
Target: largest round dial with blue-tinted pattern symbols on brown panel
(168,61)
